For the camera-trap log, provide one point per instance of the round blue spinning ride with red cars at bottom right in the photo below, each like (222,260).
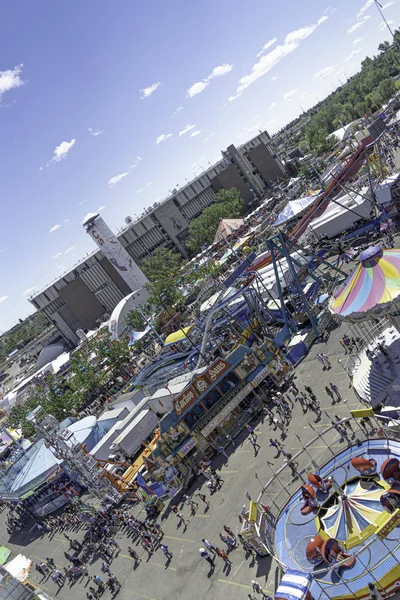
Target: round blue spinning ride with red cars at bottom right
(339,530)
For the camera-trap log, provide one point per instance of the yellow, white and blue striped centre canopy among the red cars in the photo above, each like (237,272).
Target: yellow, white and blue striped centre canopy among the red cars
(355,511)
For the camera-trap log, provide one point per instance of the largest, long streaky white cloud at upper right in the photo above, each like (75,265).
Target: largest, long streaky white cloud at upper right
(270,60)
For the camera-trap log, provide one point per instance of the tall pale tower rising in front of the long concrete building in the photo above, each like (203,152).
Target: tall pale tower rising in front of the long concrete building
(115,252)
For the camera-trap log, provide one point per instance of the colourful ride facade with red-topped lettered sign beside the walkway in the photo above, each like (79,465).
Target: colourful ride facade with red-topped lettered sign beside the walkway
(217,402)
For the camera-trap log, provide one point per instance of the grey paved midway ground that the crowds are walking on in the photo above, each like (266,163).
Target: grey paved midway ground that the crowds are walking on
(187,575)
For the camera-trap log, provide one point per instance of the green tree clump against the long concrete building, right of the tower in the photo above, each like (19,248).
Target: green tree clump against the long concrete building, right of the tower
(203,229)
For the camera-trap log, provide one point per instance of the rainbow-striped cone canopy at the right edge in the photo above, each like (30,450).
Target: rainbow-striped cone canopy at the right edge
(375,281)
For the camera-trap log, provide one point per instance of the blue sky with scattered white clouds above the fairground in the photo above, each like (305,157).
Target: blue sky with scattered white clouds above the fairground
(109,105)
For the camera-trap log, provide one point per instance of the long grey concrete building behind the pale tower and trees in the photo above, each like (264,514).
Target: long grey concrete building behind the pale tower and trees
(86,295)
